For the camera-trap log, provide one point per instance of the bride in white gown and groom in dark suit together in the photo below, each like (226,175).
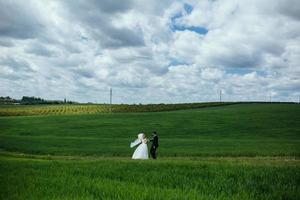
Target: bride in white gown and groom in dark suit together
(141,151)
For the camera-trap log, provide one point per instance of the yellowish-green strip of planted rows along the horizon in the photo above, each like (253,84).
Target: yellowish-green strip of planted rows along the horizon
(21,110)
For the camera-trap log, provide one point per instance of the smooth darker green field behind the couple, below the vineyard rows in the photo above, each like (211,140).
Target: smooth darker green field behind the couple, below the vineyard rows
(237,130)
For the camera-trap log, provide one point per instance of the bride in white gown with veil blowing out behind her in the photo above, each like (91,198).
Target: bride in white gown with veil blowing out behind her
(141,151)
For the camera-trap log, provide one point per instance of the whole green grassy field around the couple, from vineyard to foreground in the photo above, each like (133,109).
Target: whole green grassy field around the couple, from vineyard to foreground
(243,151)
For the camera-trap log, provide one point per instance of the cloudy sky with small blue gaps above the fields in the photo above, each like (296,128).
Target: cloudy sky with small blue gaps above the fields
(157,51)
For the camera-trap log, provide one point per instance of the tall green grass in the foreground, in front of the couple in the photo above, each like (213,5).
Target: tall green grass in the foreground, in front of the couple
(120,178)
